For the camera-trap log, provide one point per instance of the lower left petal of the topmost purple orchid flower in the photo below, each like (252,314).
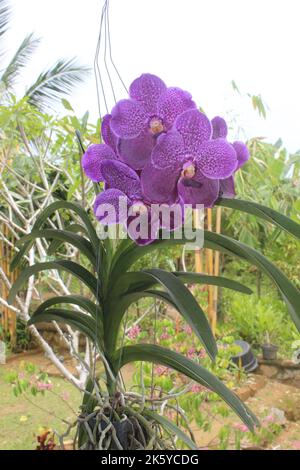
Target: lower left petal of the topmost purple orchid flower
(137,152)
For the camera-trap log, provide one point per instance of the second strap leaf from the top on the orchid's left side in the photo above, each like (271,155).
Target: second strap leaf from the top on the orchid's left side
(84,246)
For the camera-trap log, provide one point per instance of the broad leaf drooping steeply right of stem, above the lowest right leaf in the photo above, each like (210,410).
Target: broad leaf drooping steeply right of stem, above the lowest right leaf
(188,307)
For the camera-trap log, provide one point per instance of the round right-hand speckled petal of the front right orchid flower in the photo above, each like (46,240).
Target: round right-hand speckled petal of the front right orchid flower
(217,159)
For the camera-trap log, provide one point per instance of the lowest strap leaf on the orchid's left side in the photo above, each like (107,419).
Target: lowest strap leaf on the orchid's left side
(80,322)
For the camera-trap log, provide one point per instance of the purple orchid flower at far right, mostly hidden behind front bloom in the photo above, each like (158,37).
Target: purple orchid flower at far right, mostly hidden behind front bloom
(220,129)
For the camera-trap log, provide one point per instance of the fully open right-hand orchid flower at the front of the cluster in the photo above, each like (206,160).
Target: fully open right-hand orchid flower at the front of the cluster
(188,162)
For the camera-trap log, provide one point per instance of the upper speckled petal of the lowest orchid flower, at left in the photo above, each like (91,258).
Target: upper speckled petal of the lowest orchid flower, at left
(119,176)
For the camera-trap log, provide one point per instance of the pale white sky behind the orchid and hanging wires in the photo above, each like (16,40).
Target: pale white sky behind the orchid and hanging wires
(198,45)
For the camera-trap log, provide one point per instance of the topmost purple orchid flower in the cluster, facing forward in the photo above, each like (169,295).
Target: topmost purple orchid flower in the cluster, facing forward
(150,110)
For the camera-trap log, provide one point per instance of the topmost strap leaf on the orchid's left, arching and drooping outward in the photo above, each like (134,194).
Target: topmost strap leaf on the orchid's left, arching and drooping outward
(42,218)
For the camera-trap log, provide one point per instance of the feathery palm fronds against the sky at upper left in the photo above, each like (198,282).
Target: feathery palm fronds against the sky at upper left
(51,84)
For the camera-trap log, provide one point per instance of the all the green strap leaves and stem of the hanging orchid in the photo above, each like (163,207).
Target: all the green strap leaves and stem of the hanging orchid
(114,289)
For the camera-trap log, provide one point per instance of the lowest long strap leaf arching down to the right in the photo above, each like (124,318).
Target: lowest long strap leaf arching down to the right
(160,355)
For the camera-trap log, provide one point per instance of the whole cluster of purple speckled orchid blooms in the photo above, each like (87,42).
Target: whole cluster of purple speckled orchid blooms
(159,149)
